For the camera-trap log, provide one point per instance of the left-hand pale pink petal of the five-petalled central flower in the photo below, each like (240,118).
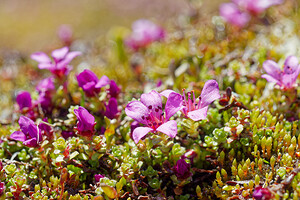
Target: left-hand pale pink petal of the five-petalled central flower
(137,111)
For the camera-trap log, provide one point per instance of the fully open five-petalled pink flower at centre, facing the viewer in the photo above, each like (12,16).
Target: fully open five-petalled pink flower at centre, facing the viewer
(149,112)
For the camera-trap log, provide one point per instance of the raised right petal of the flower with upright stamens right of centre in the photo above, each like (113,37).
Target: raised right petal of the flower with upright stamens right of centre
(209,93)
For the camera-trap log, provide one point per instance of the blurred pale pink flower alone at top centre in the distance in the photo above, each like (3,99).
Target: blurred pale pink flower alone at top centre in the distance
(143,33)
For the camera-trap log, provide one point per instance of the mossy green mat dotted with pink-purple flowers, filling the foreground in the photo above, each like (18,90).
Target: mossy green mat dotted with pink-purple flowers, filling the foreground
(203,112)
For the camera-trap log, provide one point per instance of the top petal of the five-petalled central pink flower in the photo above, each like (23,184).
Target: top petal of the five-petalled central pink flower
(152,100)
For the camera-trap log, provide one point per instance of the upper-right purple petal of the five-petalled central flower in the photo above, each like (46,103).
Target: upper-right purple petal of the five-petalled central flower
(173,105)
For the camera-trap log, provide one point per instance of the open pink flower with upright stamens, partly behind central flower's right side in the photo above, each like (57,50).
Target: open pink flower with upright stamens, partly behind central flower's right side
(197,110)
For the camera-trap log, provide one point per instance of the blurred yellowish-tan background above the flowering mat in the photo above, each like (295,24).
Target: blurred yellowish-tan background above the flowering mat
(31,25)
